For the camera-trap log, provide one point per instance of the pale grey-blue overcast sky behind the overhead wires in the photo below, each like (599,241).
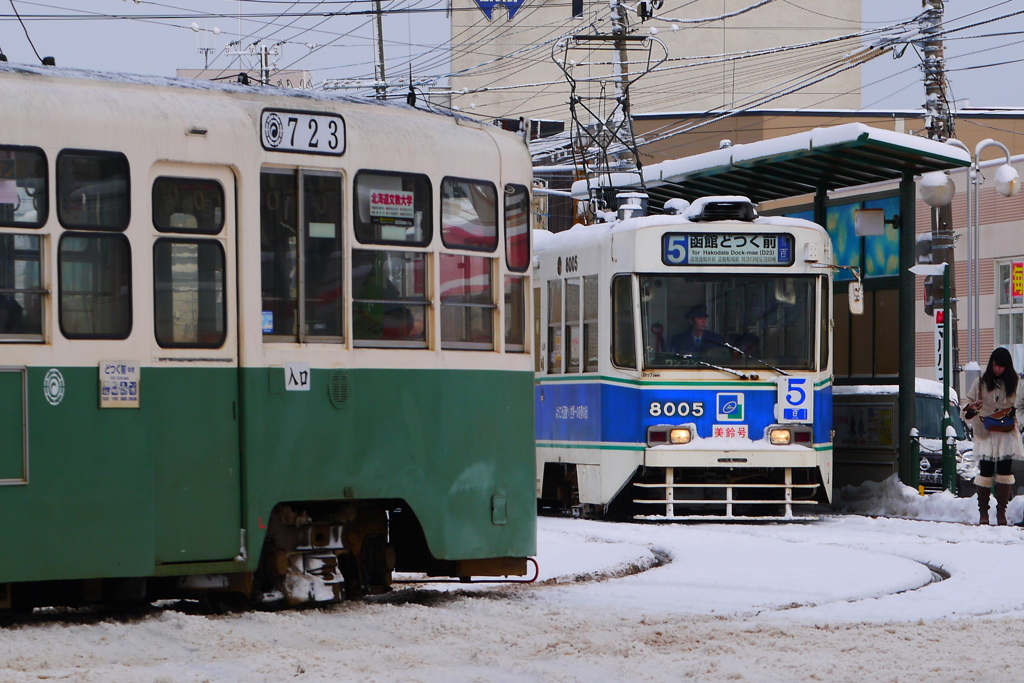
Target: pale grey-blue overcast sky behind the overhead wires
(343,47)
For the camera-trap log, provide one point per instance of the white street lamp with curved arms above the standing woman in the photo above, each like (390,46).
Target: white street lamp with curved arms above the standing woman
(1007,184)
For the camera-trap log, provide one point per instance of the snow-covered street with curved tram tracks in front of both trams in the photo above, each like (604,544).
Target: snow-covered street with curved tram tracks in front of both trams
(856,597)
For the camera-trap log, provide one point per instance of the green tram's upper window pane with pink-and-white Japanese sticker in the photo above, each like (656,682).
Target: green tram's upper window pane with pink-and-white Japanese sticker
(394,208)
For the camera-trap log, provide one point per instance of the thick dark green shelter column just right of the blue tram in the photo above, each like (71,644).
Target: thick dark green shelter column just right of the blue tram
(909,471)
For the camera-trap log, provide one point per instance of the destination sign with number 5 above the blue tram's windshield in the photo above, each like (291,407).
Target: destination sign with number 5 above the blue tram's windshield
(727,249)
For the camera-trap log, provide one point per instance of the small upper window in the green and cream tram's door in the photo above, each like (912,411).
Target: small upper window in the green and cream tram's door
(188,205)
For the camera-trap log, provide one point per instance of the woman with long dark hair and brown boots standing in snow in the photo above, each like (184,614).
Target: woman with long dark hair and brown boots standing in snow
(997,439)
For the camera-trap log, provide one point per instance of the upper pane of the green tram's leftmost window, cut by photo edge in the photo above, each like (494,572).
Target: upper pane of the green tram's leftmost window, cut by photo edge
(23,188)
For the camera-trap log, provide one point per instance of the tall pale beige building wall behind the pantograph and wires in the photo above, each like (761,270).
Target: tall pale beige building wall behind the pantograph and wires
(538,23)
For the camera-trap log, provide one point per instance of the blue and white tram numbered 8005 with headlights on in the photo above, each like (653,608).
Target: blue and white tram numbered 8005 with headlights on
(685,365)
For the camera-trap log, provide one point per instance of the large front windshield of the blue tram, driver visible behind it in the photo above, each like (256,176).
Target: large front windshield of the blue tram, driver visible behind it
(736,321)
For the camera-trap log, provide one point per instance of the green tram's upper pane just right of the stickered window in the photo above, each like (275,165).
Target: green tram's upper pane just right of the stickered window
(470,215)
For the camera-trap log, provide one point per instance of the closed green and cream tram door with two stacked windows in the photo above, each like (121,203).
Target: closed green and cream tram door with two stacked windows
(192,387)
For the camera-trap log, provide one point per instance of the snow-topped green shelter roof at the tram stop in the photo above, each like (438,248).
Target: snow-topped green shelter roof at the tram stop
(793,165)
